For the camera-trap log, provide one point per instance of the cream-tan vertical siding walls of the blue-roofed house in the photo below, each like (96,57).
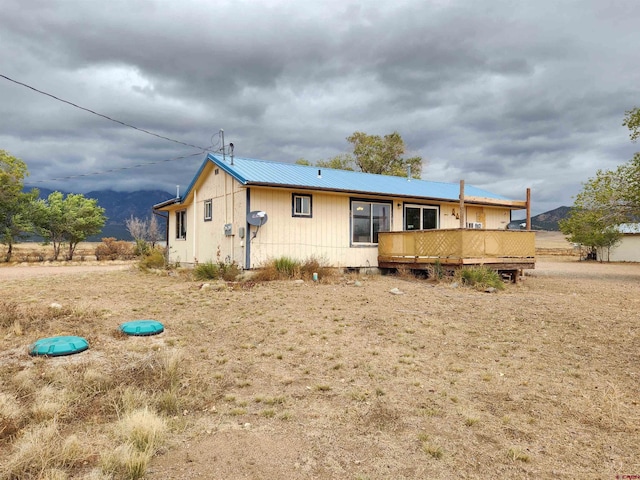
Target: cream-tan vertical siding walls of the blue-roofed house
(325,236)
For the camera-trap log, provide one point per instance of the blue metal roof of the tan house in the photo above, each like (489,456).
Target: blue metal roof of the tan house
(249,171)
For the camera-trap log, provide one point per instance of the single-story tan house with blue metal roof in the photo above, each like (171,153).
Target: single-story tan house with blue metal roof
(248,211)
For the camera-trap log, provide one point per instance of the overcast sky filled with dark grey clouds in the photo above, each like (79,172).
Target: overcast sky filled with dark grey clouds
(504,94)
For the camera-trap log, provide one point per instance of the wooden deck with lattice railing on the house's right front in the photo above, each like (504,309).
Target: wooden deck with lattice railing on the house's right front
(502,250)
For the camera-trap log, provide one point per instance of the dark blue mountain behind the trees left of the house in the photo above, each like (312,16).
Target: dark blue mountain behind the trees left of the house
(120,206)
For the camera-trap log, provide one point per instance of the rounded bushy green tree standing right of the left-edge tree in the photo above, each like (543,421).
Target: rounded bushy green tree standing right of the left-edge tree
(68,220)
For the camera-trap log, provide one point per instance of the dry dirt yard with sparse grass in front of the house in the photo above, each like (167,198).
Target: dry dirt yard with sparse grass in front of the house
(331,380)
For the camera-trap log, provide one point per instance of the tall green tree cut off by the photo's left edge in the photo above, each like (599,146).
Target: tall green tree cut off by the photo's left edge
(15,205)
